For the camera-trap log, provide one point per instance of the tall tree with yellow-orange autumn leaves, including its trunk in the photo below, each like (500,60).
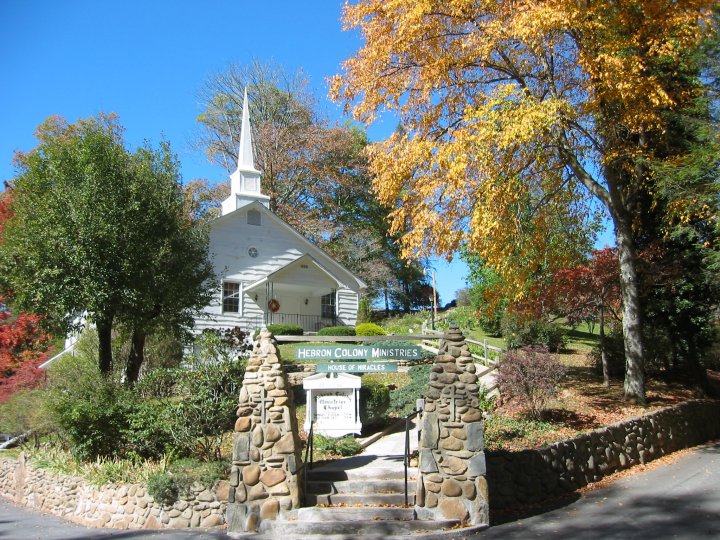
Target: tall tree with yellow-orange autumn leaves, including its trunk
(516,115)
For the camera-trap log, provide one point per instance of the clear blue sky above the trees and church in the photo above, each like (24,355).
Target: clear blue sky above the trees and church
(147,60)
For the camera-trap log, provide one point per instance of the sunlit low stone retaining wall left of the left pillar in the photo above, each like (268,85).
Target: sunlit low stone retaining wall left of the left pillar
(115,506)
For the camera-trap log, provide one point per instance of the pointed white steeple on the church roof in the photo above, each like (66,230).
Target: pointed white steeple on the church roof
(245,181)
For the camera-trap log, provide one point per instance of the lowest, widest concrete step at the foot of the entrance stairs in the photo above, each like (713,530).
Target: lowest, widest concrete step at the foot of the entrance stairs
(359,528)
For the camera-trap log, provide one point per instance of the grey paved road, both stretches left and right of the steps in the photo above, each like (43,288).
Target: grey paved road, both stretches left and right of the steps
(680,500)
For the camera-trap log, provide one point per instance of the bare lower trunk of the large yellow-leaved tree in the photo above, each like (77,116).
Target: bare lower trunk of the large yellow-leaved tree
(632,327)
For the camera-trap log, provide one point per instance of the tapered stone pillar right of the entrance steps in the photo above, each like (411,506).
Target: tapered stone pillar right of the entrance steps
(451,480)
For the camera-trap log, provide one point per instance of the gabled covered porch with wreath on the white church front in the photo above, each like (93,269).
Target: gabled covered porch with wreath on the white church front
(302,293)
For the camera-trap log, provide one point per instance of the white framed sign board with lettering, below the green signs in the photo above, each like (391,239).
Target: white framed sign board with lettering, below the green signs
(333,404)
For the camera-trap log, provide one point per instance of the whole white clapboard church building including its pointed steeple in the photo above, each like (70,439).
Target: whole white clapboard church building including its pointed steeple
(270,273)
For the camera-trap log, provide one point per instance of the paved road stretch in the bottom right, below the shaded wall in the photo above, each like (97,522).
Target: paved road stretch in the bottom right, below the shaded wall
(678,500)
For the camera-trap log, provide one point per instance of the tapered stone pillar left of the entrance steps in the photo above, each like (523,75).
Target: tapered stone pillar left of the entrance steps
(264,481)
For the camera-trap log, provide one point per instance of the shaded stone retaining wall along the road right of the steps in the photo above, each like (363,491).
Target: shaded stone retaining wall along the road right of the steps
(529,476)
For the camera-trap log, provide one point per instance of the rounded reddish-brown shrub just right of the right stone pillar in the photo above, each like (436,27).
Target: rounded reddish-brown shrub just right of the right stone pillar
(530,376)
